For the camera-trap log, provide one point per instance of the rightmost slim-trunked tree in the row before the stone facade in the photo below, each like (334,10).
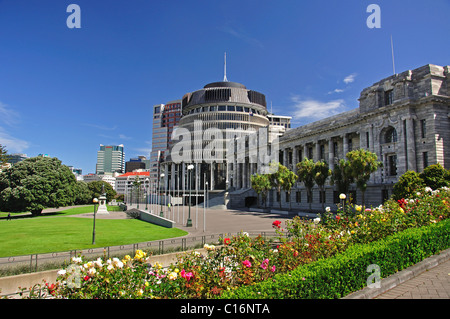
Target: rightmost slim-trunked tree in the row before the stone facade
(362,164)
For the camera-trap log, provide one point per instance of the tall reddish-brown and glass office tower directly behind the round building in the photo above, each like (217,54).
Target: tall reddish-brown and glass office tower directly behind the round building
(165,118)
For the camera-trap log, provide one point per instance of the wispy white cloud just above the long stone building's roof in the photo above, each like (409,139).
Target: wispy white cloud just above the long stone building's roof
(315,110)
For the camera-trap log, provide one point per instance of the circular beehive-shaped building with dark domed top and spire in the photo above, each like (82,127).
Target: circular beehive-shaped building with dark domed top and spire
(214,115)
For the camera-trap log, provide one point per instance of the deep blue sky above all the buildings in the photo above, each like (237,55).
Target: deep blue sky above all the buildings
(65,91)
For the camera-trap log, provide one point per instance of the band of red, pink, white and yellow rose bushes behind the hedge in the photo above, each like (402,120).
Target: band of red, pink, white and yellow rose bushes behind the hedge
(242,260)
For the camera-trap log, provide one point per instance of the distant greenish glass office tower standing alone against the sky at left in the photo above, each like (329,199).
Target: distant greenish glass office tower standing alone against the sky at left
(110,159)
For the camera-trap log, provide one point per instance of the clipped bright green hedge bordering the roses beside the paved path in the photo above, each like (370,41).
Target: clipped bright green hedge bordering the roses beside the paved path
(345,273)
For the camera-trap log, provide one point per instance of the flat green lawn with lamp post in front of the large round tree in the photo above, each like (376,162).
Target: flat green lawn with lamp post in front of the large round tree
(60,233)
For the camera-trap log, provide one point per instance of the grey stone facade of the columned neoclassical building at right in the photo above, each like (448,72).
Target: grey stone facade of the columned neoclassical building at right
(404,119)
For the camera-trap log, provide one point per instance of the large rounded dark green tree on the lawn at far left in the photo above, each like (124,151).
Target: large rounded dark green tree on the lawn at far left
(36,183)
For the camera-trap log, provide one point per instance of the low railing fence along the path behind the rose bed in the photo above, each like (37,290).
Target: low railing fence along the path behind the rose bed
(54,260)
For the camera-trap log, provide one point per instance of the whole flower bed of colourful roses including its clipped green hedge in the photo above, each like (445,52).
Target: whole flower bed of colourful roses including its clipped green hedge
(330,245)
